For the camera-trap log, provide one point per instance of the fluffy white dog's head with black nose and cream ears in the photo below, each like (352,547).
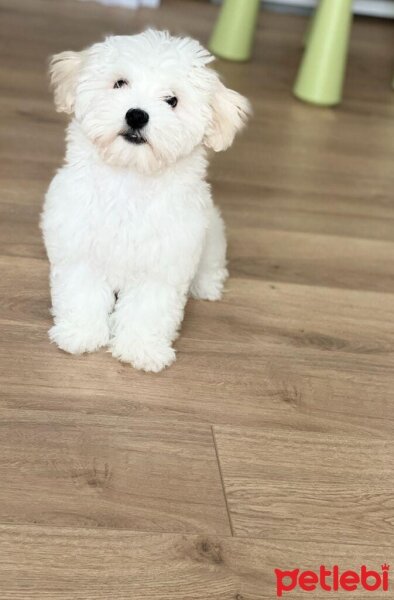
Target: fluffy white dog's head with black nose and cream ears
(147,100)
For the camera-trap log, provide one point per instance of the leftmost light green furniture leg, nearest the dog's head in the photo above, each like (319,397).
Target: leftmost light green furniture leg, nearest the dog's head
(232,37)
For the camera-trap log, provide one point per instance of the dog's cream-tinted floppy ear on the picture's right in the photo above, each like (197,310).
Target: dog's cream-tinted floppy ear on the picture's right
(230,111)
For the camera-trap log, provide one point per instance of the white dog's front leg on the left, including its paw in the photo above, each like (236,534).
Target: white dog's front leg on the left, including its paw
(81,303)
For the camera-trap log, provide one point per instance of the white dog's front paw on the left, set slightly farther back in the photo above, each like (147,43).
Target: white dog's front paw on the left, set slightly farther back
(73,338)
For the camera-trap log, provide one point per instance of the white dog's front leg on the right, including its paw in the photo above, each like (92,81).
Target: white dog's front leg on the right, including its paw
(145,322)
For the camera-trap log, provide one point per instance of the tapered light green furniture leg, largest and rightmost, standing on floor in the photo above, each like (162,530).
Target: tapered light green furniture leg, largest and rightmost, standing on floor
(321,74)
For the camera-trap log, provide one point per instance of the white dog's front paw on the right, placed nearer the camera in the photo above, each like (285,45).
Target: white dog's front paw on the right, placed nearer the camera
(153,355)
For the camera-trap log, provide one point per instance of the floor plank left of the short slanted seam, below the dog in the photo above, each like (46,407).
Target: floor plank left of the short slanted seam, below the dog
(115,472)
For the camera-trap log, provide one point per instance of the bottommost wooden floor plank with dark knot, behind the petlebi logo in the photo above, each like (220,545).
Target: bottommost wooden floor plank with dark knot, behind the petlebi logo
(41,563)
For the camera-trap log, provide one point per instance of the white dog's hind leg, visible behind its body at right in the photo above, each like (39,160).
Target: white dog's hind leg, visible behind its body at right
(211,272)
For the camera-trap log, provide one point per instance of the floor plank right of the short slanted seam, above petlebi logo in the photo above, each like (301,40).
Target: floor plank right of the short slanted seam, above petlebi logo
(315,487)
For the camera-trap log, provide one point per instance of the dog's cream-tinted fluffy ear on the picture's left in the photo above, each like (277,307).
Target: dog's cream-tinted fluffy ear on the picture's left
(63,70)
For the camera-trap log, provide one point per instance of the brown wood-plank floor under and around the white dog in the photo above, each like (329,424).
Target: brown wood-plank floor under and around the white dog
(269,444)
